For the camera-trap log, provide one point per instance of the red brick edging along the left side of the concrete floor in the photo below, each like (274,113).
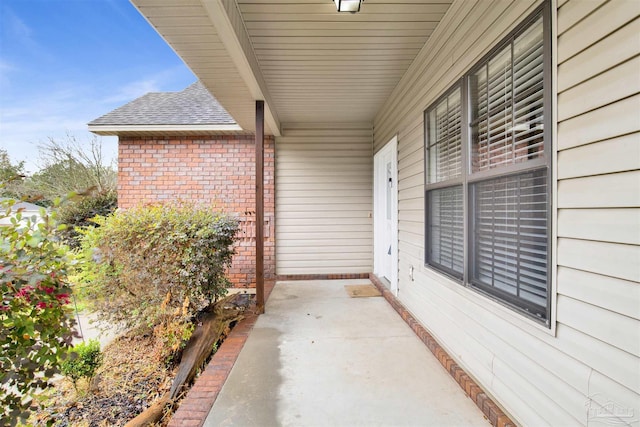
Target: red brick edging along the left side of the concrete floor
(195,407)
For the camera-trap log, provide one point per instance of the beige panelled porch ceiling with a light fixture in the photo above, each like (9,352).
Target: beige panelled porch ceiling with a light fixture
(308,62)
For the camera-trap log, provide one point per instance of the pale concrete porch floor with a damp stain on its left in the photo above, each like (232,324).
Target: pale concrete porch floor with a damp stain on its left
(320,358)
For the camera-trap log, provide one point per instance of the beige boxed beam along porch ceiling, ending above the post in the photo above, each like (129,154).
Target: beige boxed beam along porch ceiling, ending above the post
(247,67)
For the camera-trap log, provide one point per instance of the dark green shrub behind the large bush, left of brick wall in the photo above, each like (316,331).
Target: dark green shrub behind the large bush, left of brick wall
(79,213)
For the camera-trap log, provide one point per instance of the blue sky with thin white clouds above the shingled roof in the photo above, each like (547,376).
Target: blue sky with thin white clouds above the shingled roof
(64,63)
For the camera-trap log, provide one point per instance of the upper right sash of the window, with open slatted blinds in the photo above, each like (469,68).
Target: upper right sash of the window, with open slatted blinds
(507,103)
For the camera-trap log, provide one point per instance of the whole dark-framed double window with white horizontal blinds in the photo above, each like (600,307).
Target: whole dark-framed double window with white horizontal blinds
(487,182)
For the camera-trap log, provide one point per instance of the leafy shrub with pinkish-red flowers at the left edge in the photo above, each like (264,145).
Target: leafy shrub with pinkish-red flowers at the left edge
(35,321)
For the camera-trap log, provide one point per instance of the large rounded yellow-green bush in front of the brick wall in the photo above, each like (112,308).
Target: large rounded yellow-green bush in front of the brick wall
(140,256)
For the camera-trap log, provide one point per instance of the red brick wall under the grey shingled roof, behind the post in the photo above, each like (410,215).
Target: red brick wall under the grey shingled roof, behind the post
(217,170)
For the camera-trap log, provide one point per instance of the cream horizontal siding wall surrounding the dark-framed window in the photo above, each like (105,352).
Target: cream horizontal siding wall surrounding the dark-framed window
(591,358)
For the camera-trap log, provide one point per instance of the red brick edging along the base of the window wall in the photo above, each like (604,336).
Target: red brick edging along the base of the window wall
(491,411)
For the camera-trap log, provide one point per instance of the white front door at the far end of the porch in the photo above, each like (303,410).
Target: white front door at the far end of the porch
(386,214)
